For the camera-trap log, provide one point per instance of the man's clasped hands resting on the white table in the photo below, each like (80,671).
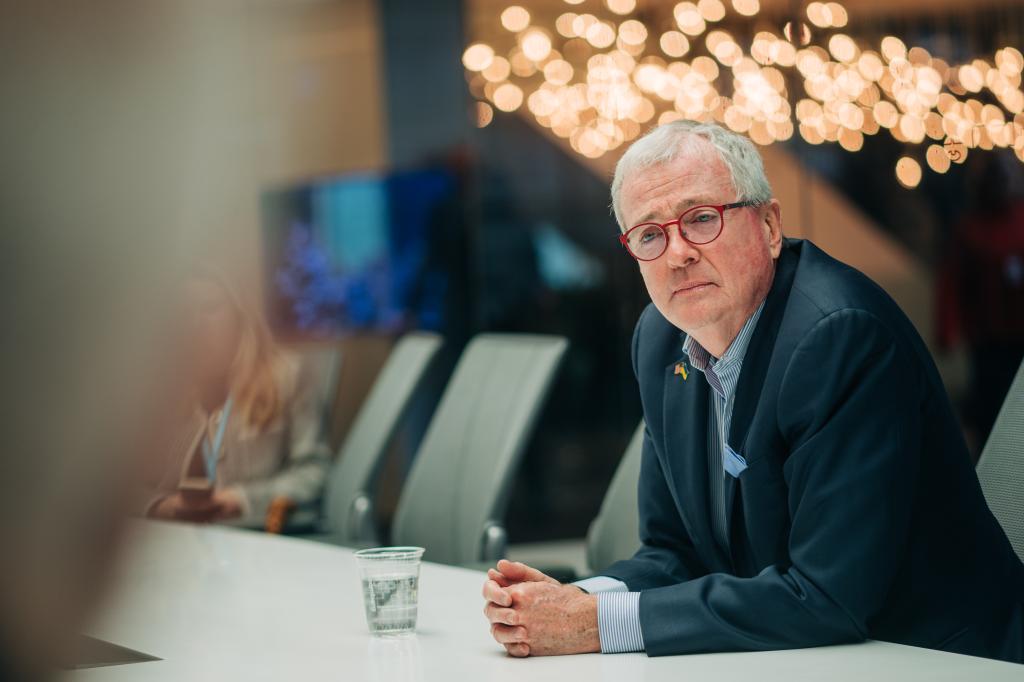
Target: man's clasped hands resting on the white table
(534,615)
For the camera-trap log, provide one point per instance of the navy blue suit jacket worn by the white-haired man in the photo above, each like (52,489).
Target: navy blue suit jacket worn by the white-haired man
(860,515)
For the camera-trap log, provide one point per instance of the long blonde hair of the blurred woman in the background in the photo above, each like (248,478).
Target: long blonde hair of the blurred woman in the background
(259,366)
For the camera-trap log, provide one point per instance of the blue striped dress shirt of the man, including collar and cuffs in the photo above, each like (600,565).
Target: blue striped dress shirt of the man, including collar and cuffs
(618,609)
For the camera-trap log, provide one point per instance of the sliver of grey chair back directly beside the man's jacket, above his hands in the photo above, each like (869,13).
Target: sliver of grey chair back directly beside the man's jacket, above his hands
(615,535)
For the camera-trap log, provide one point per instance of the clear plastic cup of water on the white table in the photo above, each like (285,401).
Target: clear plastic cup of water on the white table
(391,588)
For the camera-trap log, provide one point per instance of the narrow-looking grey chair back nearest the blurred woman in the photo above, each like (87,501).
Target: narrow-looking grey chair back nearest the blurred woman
(348,499)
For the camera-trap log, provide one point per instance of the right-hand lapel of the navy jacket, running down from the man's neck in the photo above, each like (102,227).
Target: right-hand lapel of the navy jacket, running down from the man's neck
(756,362)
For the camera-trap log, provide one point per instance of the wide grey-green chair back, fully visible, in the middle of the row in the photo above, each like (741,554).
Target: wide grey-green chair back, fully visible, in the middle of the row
(455,497)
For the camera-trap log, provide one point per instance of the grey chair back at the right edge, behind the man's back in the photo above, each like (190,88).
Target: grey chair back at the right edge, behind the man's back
(1001,468)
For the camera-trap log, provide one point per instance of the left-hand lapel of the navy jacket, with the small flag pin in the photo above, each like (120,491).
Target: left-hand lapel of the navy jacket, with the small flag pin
(687,405)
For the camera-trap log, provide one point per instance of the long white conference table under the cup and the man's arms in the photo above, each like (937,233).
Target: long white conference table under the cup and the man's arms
(224,605)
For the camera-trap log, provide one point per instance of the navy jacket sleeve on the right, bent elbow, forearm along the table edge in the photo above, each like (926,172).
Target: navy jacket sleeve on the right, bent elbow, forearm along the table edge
(849,412)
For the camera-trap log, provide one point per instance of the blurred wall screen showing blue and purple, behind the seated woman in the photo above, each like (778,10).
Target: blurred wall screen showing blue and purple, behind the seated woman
(358,253)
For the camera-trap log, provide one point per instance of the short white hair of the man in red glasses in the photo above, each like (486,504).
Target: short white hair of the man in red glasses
(668,142)
